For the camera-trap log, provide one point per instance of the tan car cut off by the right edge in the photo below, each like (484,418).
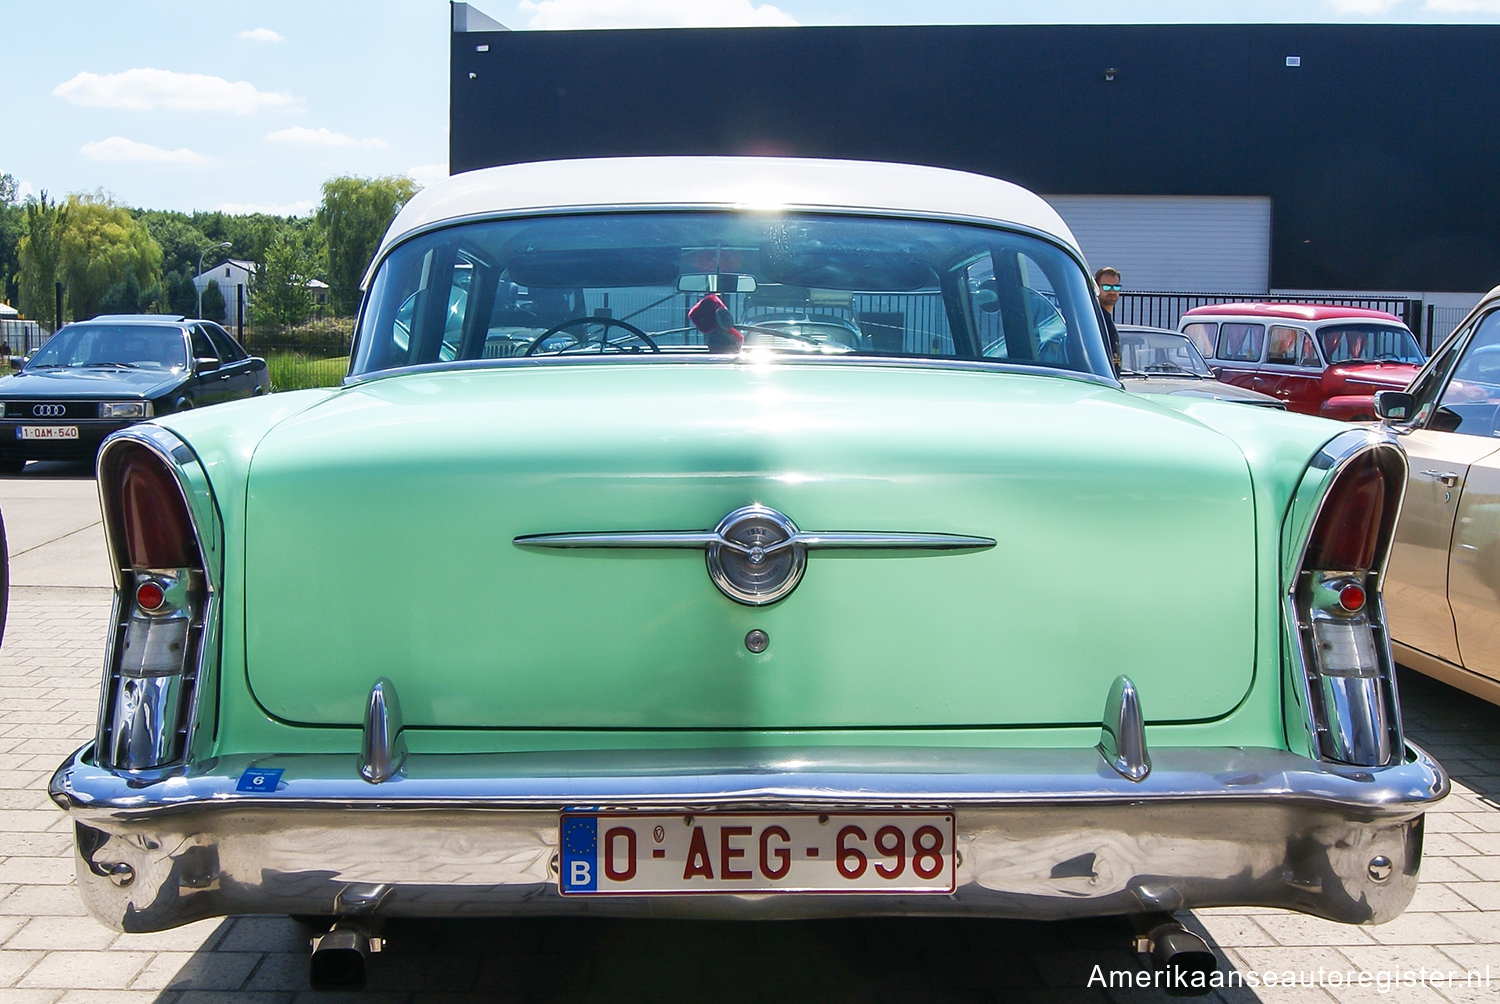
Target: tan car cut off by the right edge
(1444,582)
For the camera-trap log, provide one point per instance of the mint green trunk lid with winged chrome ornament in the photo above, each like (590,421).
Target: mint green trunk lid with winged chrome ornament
(380,544)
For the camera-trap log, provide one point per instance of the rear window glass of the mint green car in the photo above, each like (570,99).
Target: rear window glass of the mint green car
(826,286)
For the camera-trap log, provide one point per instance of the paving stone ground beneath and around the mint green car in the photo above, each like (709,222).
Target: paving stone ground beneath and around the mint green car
(50,951)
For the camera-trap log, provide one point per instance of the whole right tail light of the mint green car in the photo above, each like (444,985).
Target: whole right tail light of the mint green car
(1346,655)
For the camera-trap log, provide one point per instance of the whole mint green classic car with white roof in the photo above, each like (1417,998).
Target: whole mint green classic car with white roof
(742,538)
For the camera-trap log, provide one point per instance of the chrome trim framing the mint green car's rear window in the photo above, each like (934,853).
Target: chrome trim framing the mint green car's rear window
(695,208)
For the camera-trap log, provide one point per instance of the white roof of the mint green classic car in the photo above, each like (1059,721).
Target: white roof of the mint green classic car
(731,182)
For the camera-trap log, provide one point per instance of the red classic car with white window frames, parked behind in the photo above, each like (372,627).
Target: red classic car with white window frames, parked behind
(1327,361)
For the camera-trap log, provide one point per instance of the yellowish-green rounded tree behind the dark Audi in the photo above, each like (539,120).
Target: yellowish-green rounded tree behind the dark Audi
(101,245)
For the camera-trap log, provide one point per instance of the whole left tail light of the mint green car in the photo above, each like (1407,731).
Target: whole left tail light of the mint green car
(160,610)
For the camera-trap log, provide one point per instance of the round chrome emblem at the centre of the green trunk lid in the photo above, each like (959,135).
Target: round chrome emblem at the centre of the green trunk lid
(757,559)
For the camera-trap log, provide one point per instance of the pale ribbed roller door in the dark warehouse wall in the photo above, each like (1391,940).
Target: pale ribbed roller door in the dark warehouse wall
(1196,244)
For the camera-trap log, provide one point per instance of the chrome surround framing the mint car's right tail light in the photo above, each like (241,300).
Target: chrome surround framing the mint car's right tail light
(1336,457)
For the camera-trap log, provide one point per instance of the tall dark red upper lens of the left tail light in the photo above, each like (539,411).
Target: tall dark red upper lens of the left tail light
(154,517)
